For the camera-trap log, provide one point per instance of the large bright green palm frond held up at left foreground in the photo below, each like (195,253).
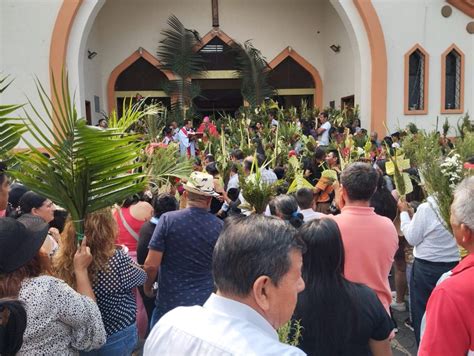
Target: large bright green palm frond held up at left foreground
(90,168)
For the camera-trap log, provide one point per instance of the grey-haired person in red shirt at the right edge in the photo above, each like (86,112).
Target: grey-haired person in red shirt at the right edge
(450,311)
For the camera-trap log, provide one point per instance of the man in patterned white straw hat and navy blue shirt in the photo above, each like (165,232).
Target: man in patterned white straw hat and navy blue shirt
(181,250)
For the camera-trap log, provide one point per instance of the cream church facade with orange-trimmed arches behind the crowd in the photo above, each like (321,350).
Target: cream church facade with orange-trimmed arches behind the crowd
(399,61)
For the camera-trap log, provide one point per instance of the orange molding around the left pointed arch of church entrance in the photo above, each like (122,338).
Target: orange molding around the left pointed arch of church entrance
(127,62)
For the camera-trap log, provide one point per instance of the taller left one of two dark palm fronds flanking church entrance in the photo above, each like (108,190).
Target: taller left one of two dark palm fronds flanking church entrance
(176,53)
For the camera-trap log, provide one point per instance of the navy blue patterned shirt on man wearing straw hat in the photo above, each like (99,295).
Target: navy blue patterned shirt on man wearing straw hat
(186,238)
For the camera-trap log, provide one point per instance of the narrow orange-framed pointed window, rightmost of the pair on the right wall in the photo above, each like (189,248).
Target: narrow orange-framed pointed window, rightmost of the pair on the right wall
(452,81)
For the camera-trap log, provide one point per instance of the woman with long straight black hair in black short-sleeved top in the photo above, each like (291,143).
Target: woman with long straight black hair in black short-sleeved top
(338,317)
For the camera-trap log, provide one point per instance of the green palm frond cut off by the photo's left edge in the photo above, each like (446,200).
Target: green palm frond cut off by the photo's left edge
(11,129)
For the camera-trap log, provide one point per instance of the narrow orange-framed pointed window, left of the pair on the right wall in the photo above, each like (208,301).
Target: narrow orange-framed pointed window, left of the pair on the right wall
(416,81)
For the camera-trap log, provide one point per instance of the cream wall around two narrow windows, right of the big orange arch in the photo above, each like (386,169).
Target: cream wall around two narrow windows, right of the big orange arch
(408,22)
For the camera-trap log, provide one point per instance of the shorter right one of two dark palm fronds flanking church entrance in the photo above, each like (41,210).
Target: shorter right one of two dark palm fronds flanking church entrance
(253,70)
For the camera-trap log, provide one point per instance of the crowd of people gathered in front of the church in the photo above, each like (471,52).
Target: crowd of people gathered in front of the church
(192,271)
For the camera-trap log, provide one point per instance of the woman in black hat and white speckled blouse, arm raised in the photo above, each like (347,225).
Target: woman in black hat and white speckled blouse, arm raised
(60,321)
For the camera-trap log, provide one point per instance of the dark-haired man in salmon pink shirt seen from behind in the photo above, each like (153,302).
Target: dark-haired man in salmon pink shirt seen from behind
(370,240)
